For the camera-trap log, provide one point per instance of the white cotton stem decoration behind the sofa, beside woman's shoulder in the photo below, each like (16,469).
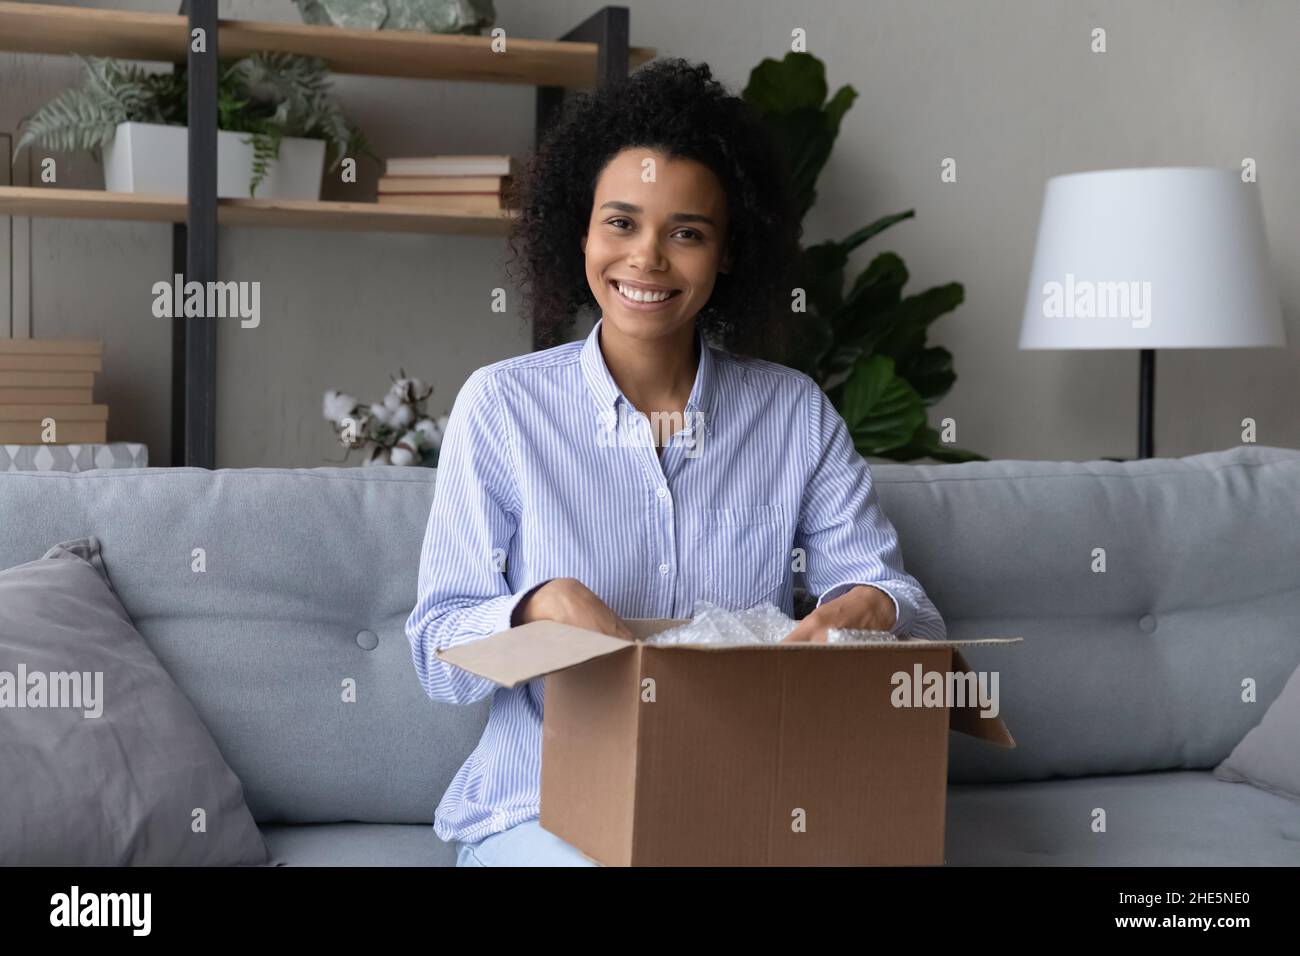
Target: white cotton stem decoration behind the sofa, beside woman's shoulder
(397,431)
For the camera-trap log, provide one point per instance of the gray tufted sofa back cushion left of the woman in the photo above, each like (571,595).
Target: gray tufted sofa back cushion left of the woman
(262,591)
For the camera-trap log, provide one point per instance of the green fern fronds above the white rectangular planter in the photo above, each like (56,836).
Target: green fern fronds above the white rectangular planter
(266,96)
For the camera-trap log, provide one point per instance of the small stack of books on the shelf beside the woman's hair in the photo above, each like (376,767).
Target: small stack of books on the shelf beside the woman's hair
(450,184)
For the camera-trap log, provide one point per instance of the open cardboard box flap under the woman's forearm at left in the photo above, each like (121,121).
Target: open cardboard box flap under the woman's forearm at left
(531,651)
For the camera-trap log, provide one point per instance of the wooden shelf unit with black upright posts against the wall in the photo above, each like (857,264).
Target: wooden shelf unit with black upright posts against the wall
(592,54)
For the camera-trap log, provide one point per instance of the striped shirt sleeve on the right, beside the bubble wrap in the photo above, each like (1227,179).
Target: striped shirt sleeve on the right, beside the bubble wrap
(847,537)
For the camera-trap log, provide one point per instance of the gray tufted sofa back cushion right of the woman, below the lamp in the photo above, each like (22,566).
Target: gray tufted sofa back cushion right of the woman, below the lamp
(1134,669)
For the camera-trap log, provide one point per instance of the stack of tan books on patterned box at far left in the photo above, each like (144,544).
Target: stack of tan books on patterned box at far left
(50,379)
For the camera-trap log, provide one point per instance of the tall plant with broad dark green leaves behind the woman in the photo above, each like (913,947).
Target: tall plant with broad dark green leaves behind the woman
(864,345)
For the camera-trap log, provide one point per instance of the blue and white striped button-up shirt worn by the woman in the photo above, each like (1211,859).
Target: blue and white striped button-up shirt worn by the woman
(548,471)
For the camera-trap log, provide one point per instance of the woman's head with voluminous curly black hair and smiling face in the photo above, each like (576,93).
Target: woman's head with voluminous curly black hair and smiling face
(670,132)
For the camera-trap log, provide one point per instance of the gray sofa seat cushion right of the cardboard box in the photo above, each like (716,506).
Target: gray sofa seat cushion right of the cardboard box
(1178,819)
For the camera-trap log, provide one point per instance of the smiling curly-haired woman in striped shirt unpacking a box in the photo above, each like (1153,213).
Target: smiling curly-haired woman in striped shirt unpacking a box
(662,202)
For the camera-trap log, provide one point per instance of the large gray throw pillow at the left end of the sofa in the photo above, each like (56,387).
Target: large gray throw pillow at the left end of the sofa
(105,760)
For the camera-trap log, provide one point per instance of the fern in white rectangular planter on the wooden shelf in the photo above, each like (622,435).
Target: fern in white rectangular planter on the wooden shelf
(275,118)
